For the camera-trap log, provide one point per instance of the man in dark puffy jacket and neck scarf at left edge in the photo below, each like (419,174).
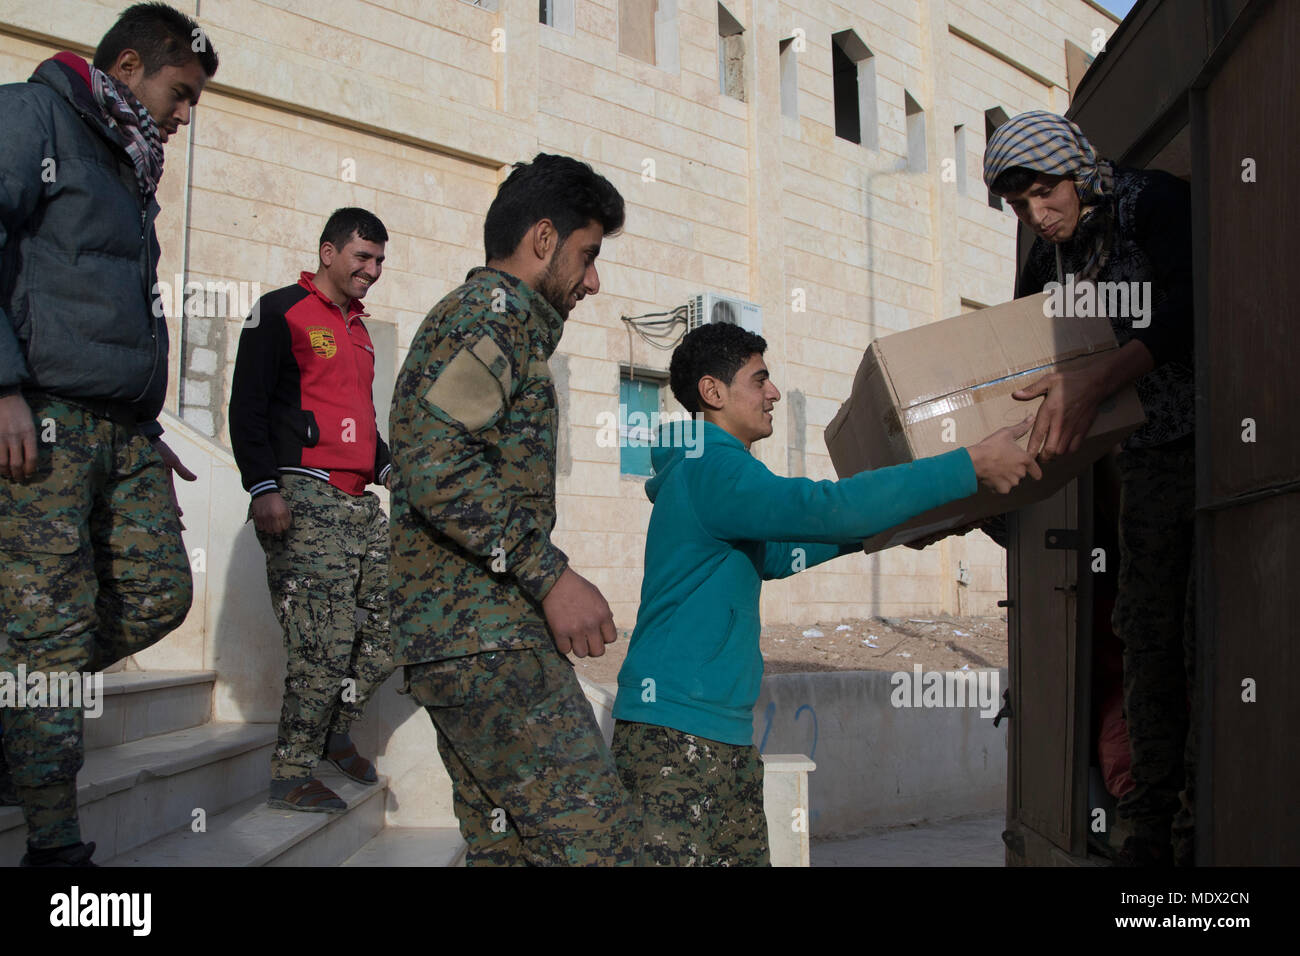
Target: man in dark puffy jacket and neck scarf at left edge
(90,537)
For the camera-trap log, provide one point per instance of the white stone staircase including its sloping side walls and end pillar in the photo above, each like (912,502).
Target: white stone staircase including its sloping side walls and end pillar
(192,724)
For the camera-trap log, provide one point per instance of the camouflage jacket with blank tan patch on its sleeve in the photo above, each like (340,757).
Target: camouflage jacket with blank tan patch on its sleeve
(474,431)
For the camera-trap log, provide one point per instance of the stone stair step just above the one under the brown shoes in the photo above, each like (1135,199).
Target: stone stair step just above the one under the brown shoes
(135,793)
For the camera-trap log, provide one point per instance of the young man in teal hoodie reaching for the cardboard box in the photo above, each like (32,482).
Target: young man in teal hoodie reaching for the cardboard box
(722,524)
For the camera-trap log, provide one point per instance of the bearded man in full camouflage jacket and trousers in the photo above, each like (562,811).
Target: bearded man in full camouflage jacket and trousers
(484,605)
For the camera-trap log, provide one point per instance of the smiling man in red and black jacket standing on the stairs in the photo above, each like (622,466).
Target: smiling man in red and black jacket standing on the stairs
(305,436)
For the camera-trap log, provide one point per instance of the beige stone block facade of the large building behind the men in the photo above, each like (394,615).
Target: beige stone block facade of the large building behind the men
(413,109)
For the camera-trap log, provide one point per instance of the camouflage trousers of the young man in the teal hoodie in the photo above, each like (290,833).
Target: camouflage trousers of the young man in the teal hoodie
(701,801)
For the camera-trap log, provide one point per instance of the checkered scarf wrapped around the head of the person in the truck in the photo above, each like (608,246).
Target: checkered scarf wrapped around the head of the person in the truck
(1050,144)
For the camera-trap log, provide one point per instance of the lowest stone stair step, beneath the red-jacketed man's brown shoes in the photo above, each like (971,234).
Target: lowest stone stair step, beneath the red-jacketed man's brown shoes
(254,834)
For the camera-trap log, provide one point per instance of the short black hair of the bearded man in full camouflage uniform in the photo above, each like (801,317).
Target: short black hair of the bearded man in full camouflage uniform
(562,189)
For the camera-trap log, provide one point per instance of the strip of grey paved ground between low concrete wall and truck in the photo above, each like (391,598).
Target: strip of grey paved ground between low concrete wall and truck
(970,842)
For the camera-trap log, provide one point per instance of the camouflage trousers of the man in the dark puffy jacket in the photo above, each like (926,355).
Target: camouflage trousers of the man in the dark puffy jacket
(94,570)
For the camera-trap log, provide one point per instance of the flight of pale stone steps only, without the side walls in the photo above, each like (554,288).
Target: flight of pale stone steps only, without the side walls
(164,785)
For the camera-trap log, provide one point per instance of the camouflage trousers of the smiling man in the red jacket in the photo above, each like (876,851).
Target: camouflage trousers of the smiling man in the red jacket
(330,586)
